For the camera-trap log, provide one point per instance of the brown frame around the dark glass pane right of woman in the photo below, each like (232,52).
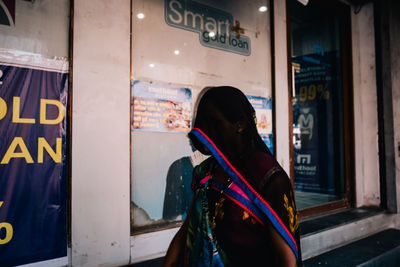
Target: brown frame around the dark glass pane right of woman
(342,11)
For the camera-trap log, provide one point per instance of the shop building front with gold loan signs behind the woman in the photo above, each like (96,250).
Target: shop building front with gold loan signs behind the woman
(321,75)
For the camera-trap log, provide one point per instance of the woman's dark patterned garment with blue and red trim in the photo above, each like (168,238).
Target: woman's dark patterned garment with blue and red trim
(226,228)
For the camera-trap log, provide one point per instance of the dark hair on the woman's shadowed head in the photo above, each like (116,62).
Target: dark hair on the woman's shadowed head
(235,107)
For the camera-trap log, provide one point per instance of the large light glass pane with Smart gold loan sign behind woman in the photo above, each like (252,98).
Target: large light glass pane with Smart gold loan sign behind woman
(178,48)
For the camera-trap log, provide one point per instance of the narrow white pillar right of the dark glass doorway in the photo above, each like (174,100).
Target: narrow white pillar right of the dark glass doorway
(365,108)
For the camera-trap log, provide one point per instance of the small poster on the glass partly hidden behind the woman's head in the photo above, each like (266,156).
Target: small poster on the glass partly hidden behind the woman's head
(263,109)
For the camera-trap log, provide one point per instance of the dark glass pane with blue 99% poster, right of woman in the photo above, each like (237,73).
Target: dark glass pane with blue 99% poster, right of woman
(317,105)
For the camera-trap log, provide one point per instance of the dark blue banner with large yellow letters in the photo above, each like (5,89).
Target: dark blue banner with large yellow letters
(33,149)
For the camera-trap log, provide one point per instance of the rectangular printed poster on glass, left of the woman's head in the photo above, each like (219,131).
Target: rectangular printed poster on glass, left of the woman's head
(160,108)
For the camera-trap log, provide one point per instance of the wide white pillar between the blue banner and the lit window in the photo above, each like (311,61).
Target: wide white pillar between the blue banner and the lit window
(100,133)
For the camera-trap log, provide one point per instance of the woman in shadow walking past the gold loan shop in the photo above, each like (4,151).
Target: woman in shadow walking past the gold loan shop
(243,211)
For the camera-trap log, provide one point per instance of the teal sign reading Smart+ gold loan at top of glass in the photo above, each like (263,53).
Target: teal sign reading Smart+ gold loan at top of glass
(213,25)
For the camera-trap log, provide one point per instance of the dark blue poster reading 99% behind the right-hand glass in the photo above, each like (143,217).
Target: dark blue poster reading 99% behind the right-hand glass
(313,123)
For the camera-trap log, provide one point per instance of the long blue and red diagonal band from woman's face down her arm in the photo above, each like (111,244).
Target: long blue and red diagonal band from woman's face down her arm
(252,194)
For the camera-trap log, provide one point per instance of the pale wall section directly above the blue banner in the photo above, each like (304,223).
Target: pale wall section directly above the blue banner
(40,27)
